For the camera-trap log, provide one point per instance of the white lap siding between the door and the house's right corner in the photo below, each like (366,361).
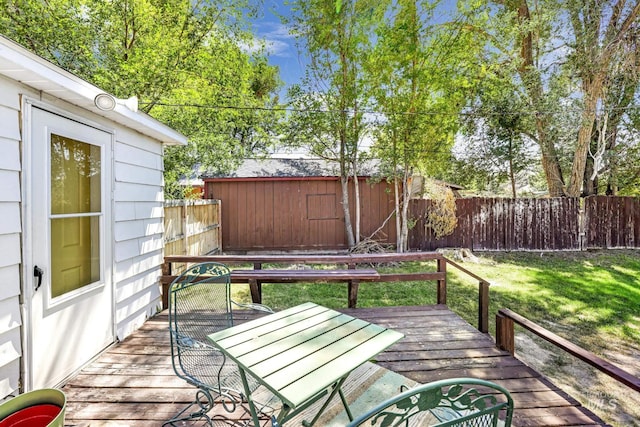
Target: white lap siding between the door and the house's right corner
(138,229)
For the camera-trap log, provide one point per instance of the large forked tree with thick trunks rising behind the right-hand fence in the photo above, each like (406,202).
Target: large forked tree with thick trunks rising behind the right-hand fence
(532,41)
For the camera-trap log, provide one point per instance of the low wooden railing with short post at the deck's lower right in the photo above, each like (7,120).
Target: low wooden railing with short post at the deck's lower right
(505,340)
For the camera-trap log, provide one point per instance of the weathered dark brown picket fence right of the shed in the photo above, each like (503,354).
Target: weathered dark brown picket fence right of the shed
(534,224)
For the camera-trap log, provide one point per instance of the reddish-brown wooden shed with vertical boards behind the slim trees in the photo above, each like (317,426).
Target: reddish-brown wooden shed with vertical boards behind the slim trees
(294,204)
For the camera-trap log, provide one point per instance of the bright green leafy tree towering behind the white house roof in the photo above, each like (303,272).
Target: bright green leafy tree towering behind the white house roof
(181,58)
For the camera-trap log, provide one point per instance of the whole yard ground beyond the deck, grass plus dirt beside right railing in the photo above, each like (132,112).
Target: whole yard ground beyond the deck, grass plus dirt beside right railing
(589,298)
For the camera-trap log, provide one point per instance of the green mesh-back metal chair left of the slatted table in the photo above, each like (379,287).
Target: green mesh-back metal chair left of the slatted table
(200,304)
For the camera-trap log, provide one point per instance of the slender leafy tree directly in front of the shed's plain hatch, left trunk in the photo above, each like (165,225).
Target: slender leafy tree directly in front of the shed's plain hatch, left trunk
(336,39)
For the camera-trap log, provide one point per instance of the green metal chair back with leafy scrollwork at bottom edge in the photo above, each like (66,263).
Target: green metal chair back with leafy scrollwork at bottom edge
(464,402)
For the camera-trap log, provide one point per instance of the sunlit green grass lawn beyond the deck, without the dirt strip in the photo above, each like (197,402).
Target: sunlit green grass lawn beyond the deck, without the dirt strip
(585,296)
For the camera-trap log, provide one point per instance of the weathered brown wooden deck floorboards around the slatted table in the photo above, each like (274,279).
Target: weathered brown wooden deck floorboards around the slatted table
(133,384)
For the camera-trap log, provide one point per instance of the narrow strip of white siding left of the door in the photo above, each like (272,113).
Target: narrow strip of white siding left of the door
(10,238)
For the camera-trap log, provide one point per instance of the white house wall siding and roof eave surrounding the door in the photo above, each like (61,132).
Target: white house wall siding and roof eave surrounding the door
(137,207)
